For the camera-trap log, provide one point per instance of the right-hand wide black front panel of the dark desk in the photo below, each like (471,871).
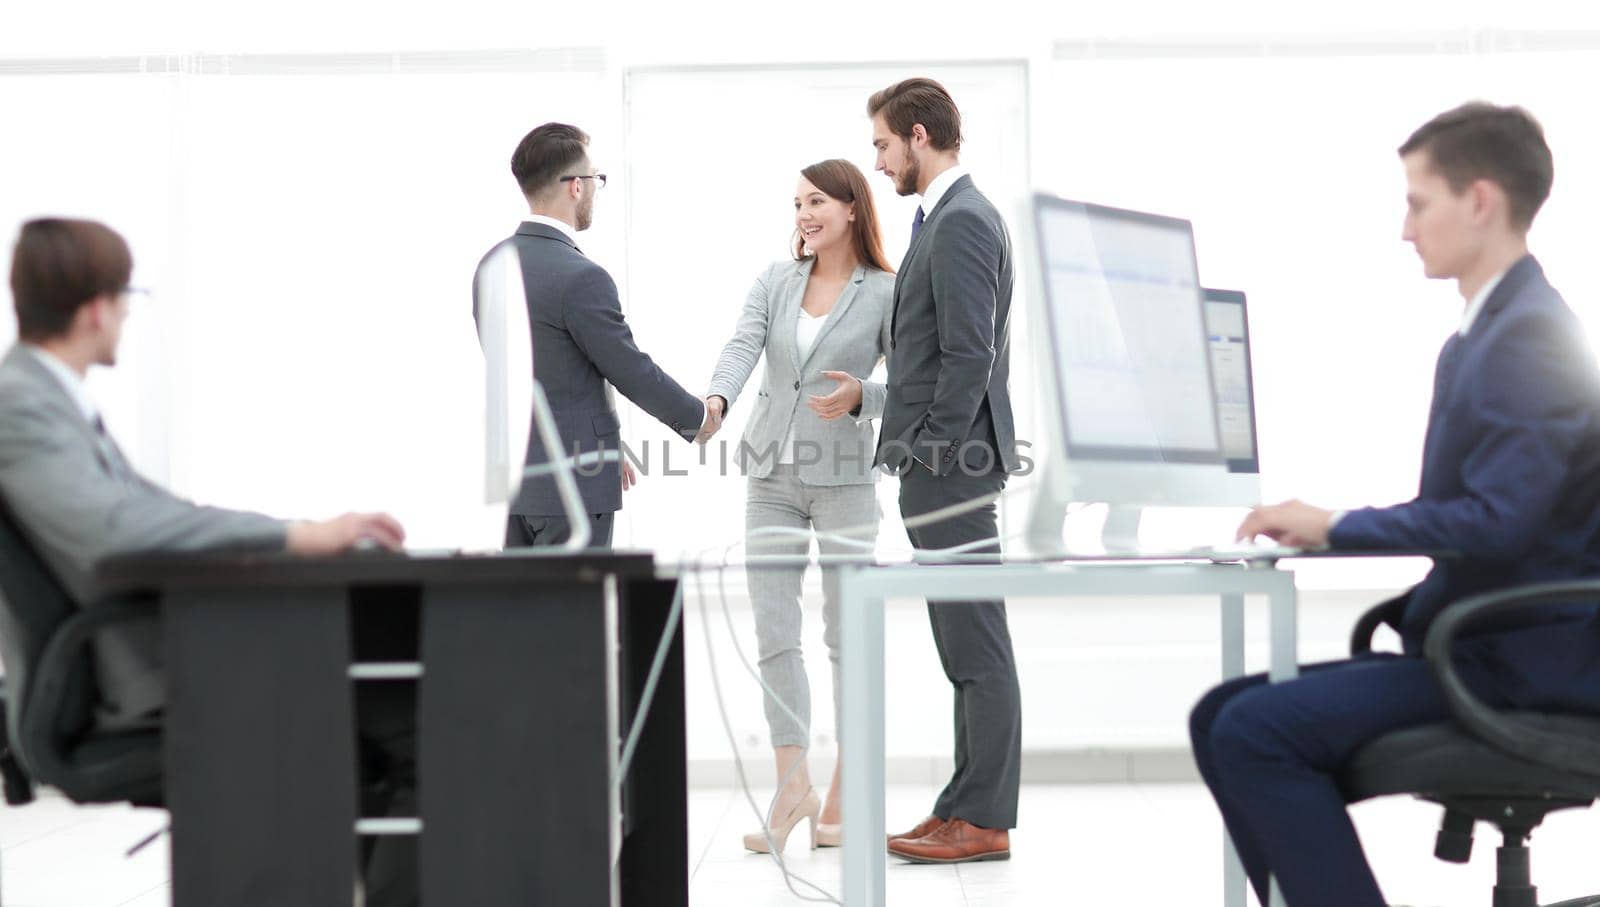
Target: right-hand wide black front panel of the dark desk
(513,753)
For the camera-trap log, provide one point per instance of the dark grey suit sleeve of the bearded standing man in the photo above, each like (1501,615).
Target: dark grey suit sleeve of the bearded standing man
(966,271)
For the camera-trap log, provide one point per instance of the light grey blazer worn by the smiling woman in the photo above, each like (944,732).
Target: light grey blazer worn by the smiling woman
(855,340)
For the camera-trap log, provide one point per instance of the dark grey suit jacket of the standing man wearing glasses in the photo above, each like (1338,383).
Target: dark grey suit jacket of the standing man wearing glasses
(580,343)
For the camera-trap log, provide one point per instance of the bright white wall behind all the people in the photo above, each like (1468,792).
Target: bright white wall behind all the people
(310,186)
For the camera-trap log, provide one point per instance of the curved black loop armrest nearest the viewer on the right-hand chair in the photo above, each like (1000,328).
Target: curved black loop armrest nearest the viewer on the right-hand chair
(1514,738)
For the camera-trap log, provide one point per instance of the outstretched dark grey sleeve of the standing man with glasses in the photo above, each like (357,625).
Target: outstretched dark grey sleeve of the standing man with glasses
(594,318)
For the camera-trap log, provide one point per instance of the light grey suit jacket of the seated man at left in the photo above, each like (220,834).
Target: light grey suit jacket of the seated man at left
(79,501)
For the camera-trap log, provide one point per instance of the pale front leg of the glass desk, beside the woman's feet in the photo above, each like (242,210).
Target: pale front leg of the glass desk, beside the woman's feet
(862,665)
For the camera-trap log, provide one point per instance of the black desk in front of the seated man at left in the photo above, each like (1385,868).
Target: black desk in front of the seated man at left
(529,681)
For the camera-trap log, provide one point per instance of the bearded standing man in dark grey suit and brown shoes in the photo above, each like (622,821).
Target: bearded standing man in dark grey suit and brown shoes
(948,434)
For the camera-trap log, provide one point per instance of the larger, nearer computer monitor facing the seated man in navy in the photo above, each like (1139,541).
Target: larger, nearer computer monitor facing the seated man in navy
(1130,415)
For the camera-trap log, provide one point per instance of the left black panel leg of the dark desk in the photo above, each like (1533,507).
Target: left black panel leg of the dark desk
(260,748)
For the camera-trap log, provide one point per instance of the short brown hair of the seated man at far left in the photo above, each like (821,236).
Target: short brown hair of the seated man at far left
(58,266)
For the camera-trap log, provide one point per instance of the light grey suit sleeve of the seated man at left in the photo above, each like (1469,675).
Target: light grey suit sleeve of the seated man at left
(79,514)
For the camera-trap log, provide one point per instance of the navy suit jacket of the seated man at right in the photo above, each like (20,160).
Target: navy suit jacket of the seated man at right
(1511,469)
